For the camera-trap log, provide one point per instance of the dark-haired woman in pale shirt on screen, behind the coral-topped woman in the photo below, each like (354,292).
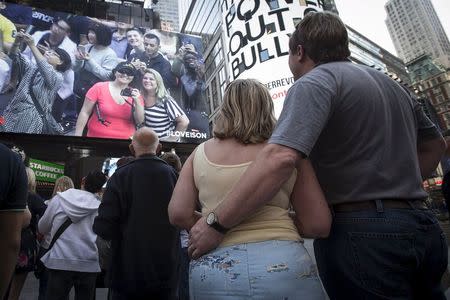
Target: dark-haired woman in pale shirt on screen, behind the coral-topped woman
(95,60)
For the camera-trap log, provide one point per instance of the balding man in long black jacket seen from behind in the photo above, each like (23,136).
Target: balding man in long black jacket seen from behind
(133,216)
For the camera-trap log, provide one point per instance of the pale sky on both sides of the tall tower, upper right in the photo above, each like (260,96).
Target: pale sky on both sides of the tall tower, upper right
(367,17)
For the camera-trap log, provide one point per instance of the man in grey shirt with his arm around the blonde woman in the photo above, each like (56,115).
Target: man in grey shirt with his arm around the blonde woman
(384,242)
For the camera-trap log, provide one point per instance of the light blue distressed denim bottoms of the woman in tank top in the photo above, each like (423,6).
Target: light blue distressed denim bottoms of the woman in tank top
(263,270)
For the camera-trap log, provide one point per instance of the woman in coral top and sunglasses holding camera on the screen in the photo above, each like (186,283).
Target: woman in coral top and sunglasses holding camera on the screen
(108,109)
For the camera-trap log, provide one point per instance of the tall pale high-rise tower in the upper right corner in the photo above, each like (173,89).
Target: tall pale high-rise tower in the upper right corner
(415,29)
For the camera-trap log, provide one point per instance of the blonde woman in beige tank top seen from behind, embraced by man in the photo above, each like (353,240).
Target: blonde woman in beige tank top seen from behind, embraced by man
(265,249)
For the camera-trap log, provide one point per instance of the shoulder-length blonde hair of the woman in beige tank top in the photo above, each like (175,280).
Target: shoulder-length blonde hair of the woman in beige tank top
(246,113)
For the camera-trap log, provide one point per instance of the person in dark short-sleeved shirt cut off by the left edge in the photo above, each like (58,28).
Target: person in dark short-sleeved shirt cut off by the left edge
(13,197)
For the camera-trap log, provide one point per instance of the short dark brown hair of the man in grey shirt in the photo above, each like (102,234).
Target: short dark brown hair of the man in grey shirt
(323,37)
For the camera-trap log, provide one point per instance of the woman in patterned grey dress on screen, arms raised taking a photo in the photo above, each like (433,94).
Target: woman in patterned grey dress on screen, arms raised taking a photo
(30,108)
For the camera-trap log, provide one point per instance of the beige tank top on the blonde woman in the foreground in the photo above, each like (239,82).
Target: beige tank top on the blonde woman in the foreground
(270,222)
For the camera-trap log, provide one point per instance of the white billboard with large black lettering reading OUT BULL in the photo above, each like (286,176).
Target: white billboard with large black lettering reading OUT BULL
(256,35)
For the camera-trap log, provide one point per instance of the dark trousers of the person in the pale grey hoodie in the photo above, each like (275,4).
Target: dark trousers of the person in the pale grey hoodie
(60,282)
